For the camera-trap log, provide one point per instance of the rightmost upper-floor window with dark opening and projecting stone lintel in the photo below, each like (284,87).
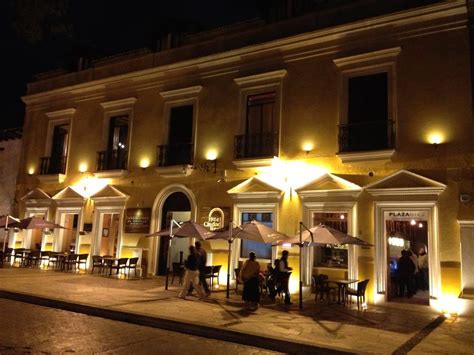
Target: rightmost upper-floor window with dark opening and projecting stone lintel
(367,104)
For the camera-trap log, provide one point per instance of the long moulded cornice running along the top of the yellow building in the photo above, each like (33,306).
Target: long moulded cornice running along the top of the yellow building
(397,23)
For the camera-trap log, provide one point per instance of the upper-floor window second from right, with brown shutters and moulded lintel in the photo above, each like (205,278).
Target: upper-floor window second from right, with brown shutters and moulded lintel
(261,114)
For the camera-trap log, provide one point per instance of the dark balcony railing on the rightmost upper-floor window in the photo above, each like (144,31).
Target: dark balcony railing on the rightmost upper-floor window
(366,136)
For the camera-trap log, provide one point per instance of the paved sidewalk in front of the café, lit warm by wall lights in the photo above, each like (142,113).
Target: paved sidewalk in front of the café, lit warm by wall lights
(317,327)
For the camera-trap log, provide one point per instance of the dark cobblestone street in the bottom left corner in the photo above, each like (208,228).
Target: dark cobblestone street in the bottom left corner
(36,329)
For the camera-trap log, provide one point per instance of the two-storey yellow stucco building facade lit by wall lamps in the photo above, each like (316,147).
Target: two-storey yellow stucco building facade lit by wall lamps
(366,126)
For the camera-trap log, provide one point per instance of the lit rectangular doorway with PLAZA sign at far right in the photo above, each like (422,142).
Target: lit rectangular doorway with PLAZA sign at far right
(407,234)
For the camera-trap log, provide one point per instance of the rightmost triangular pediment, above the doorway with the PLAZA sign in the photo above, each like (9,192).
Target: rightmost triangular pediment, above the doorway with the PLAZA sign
(405,182)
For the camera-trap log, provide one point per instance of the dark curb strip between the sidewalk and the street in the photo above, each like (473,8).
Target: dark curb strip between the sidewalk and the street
(264,342)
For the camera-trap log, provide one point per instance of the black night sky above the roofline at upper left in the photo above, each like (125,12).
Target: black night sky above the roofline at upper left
(41,35)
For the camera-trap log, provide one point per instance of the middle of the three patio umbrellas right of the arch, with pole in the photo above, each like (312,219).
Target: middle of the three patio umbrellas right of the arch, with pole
(253,230)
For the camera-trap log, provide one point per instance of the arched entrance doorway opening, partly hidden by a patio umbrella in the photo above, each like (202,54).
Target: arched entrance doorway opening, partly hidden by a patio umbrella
(178,207)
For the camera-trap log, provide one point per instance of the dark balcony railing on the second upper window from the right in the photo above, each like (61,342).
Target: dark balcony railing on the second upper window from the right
(261,145)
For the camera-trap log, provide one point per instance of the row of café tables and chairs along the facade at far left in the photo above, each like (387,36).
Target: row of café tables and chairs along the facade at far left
(105,265)
